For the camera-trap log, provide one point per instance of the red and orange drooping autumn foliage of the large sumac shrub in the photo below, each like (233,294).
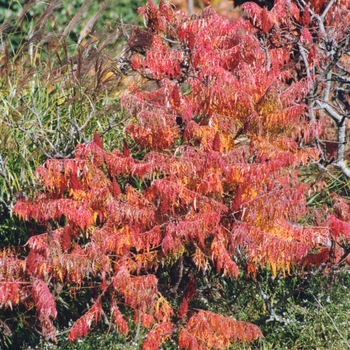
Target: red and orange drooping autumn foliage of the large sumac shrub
(224,127)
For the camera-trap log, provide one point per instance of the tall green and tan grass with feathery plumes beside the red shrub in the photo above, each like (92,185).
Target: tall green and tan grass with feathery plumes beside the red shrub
(55,93)
